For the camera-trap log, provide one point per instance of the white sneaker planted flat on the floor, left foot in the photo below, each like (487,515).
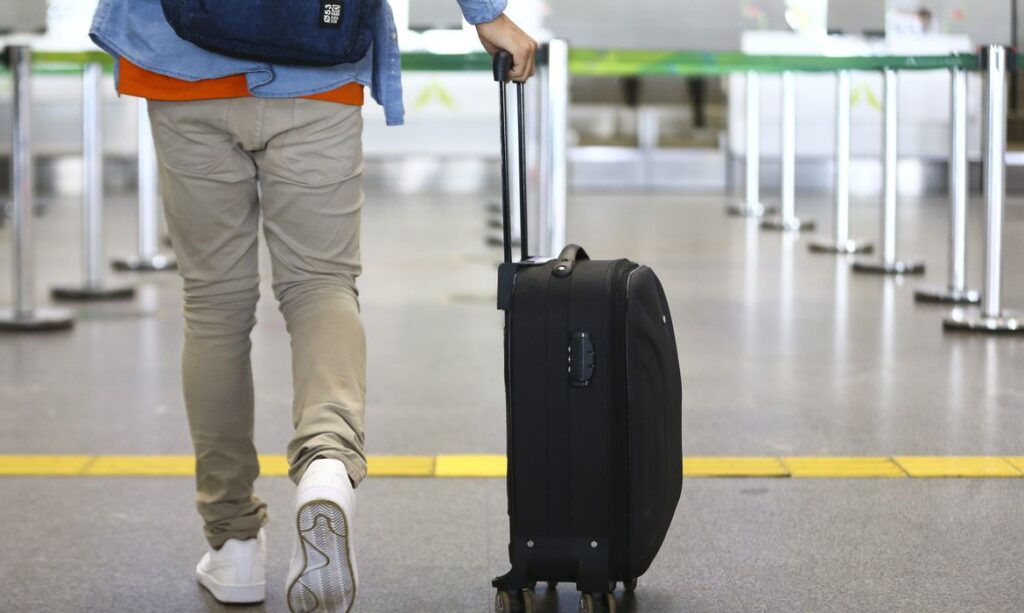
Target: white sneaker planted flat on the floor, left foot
(236,573)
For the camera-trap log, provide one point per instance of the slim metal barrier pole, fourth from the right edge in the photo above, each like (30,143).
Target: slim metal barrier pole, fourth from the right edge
(841,243)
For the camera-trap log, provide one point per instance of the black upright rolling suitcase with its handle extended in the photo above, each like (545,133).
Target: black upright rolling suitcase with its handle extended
(593,397)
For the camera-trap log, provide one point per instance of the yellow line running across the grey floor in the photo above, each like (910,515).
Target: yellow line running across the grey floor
(494,466)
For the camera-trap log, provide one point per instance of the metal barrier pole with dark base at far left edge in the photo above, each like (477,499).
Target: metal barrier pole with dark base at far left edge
(24,317)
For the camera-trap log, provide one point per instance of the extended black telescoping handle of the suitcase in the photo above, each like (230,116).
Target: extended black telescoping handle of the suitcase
(503,68)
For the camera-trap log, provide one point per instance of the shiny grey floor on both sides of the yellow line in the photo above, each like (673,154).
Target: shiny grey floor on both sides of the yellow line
(784,354)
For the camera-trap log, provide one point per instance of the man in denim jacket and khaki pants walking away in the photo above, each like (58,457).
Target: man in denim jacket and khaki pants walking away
(240,141)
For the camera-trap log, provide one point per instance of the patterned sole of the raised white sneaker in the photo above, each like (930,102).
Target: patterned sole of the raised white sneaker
(326,584)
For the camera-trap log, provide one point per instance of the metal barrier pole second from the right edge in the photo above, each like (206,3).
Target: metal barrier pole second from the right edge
(957,291)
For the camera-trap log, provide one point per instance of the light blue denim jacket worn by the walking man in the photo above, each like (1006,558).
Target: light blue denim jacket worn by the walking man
(138,31)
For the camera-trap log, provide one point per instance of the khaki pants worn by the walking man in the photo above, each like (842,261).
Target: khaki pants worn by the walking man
(297,164)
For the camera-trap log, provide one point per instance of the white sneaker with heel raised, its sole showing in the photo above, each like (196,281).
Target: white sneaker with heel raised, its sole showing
(323,577)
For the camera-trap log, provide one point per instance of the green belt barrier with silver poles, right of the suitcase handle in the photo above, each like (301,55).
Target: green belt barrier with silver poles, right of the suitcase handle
(994,61)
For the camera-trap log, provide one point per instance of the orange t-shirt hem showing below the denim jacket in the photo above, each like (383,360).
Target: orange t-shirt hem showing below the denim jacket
(139,82)
